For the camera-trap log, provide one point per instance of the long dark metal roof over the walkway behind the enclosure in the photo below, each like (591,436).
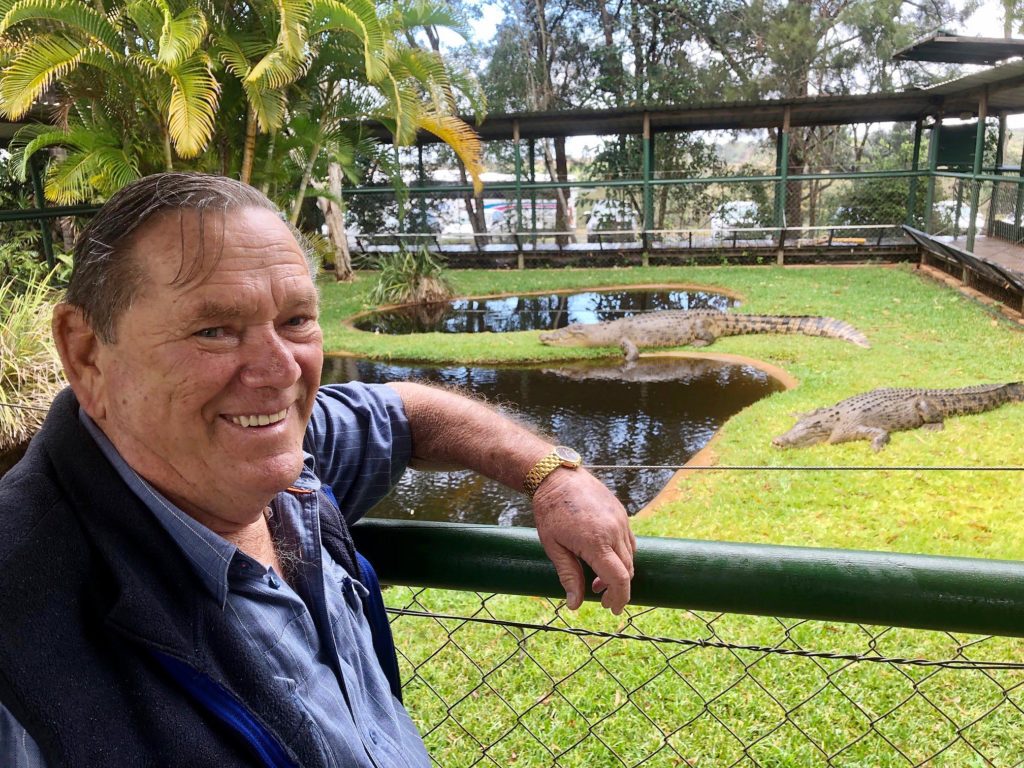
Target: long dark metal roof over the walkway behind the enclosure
(958,99)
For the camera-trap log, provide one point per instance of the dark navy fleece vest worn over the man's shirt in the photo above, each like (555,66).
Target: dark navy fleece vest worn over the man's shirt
(107,634)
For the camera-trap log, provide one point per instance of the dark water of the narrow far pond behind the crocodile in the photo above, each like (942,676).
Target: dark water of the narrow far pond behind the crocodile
(536,313)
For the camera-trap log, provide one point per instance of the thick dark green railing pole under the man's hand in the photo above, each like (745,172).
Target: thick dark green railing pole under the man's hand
(953,594)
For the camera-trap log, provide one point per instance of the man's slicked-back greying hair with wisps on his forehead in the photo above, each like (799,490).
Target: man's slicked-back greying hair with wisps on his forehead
(106,278)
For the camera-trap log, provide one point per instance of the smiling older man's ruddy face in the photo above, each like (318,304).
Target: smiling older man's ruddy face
(208,389)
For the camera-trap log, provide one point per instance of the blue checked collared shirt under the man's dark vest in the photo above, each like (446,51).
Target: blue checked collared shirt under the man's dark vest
(311,628)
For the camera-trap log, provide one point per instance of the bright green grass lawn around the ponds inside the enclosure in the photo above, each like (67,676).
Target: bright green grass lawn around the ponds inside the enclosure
(593,703)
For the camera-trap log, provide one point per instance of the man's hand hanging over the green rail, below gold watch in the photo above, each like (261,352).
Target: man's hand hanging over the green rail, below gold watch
(578,518)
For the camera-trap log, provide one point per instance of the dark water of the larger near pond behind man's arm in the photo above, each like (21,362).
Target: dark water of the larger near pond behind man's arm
(660,412)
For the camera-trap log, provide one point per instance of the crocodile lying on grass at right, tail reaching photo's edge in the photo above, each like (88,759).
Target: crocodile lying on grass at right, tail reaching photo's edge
(872,416)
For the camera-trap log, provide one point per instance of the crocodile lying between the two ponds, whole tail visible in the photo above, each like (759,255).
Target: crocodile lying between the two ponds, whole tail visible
(671,328)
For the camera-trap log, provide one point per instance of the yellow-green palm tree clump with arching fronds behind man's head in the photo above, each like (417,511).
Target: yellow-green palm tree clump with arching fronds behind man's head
(145,88)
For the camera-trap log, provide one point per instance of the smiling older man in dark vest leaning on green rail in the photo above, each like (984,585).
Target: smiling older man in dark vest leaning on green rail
(181,582)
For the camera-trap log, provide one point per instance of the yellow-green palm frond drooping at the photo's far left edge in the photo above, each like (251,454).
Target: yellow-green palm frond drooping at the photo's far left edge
(44,59)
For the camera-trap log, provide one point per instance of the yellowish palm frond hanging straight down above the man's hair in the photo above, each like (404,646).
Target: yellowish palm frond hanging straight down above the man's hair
(193,106)
